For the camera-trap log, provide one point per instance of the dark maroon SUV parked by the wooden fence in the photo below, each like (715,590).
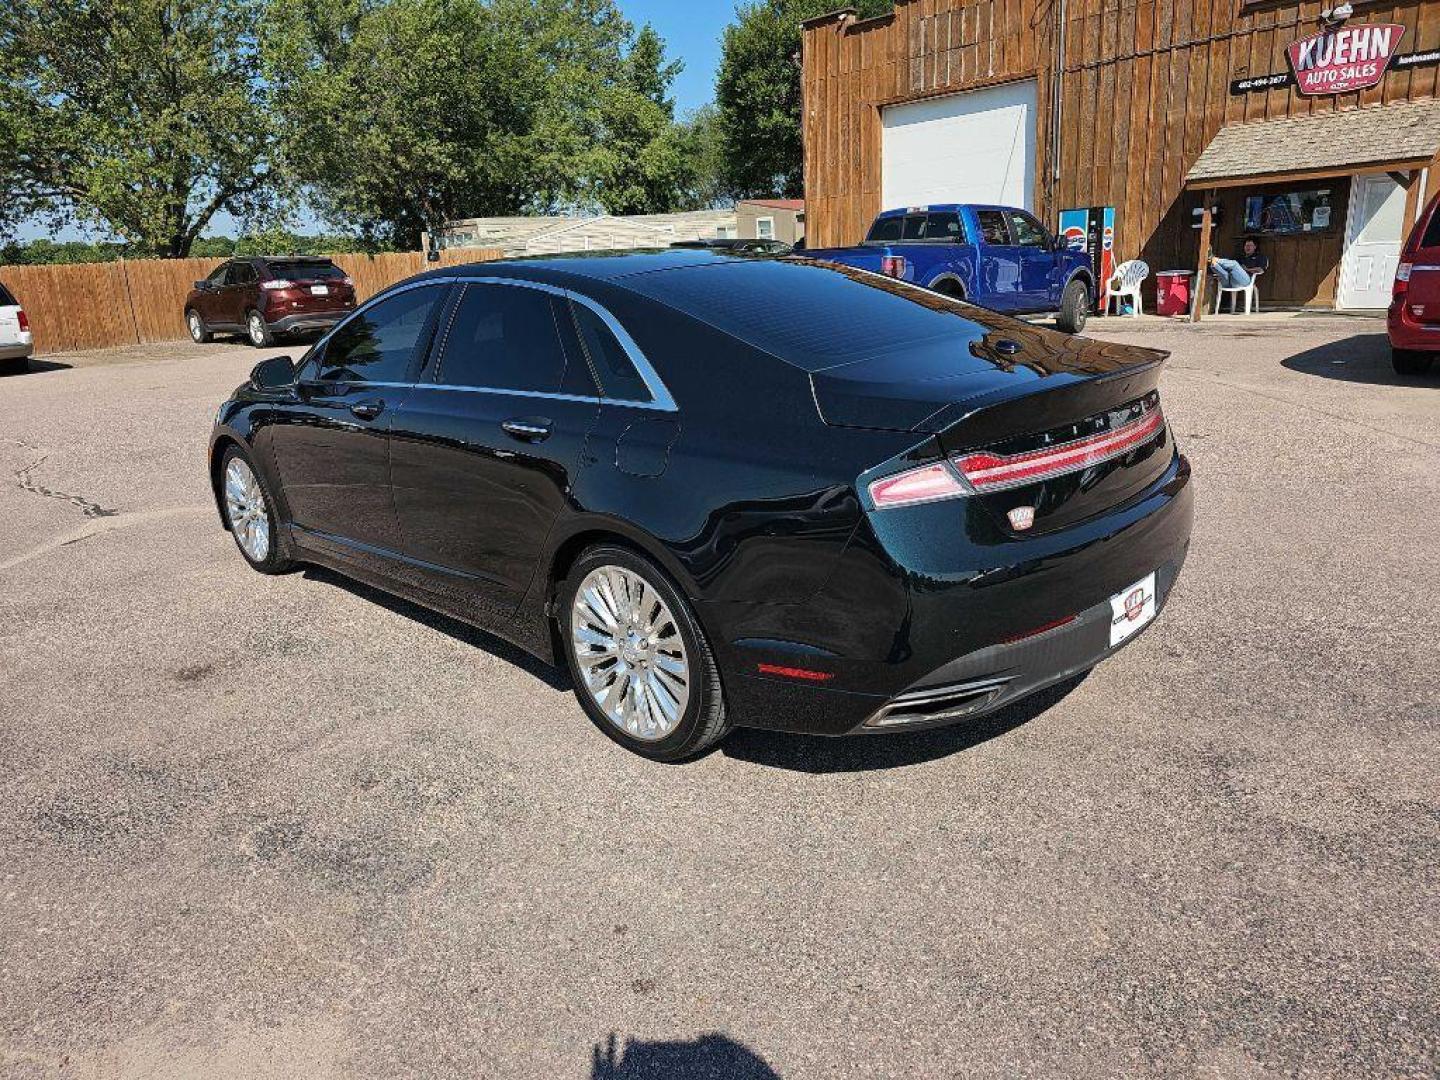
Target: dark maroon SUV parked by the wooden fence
(264,297)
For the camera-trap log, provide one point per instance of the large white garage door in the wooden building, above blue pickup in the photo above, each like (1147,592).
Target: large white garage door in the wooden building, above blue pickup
(974,148)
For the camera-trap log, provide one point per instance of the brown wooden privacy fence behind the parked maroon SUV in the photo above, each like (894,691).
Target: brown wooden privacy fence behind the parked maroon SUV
(136,302)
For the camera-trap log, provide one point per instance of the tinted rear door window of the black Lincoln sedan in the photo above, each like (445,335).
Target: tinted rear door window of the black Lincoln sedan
(503,338)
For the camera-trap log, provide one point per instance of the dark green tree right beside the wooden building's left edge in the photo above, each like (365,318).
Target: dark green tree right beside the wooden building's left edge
(758,94)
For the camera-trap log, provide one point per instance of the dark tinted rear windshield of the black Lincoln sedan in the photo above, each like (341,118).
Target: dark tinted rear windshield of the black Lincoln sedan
(813,315)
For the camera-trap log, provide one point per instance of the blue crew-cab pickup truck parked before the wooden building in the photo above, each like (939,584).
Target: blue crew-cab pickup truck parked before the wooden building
(996,257)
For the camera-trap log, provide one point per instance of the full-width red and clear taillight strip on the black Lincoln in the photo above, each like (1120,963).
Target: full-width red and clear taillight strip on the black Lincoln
(984,472)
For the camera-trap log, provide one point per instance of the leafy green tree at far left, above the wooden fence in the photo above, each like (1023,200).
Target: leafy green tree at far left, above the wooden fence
(140,117)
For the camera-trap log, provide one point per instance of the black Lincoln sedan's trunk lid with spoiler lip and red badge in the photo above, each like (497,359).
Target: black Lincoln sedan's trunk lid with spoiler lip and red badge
(1052,431)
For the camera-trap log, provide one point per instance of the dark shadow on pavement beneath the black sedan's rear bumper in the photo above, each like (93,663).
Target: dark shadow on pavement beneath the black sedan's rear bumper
(891,751)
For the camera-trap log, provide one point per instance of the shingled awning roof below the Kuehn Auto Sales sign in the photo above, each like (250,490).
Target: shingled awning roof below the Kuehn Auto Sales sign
(1400,136)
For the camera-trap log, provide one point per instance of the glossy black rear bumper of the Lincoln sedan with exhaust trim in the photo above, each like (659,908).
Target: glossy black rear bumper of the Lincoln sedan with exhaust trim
(942,650)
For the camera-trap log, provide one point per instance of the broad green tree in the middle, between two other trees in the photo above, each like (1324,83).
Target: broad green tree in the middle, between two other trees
(404,114)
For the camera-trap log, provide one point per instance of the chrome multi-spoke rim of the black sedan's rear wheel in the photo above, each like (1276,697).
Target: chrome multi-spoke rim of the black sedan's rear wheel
(630,653)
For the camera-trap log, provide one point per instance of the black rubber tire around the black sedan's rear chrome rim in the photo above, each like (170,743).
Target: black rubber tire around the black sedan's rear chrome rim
(705,721)
